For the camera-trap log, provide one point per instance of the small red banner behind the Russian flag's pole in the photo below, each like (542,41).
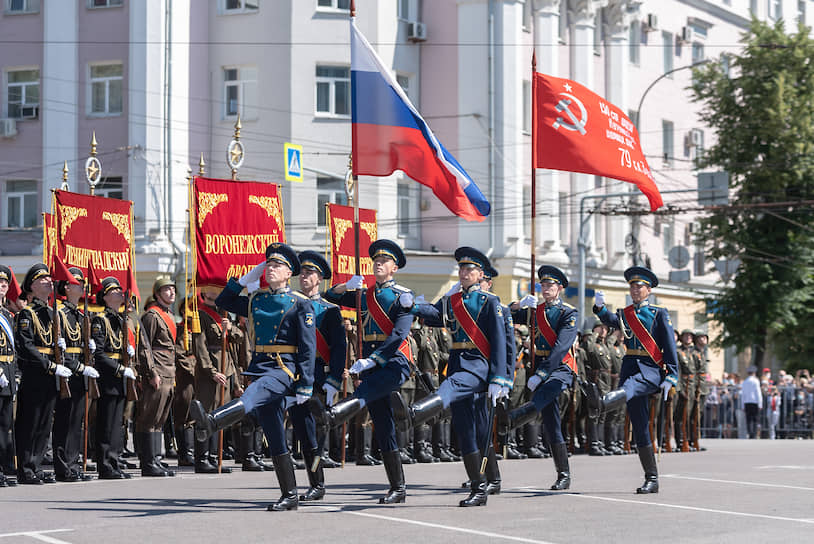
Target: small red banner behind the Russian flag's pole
(343,254)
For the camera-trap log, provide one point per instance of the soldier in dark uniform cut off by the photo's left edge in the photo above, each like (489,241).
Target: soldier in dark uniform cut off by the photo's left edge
(8,383)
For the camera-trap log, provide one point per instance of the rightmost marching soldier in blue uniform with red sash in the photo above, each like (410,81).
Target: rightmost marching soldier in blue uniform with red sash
(641,375)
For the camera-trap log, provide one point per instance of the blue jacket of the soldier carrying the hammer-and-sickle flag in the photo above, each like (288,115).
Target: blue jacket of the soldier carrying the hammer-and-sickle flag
(563,319)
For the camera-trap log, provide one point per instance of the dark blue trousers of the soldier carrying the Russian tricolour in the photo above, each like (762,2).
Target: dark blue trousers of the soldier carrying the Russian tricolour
(375,389)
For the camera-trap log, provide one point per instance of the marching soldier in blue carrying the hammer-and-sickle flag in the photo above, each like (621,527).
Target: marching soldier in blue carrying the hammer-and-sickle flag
(552,374)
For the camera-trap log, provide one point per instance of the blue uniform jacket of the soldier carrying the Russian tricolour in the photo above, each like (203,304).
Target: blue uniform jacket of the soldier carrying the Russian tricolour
(382,349)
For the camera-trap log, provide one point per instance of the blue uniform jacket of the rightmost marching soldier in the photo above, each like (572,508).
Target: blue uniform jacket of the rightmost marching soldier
(657,321)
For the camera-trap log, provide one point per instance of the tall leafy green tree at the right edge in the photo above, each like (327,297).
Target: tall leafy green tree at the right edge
(762,111)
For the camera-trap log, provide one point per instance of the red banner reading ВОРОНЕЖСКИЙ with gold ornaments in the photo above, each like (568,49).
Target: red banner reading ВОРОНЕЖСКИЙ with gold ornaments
(234,221)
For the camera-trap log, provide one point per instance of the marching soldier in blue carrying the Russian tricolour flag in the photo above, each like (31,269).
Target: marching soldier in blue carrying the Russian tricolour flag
(384,366)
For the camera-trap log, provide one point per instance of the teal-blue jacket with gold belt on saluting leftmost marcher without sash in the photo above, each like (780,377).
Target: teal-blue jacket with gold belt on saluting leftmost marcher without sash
(284,317)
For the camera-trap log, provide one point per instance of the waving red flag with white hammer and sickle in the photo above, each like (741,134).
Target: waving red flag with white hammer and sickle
(579,131)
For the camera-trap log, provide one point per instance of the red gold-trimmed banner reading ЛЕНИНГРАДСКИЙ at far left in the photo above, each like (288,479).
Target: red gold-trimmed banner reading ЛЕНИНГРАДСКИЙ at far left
(95,230)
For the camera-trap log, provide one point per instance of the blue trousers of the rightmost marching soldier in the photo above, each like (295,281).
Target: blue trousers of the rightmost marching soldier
(639,380)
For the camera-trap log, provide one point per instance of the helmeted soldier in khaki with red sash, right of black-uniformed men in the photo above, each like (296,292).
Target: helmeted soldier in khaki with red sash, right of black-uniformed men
(157,379)
